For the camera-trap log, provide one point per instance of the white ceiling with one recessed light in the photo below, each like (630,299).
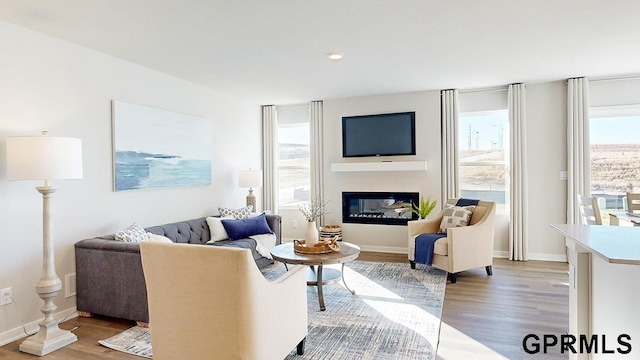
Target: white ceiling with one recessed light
(274,50)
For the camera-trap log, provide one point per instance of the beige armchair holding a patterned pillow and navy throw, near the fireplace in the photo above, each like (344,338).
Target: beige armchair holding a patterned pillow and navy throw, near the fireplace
(463,248)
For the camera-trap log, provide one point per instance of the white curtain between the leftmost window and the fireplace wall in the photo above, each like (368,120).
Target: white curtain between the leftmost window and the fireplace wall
(317,151)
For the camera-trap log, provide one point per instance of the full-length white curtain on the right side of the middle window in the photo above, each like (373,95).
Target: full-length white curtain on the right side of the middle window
(518,224)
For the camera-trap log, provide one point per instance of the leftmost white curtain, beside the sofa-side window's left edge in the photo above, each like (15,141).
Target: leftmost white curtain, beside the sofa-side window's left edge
(270,158)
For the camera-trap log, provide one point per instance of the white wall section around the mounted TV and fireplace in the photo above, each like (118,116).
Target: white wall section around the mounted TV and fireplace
(389,238)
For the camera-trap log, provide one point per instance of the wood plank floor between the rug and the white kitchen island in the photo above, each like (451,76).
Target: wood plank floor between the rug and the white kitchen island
(487,317)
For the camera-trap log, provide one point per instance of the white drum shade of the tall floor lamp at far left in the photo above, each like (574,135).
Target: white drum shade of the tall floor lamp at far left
(44,158)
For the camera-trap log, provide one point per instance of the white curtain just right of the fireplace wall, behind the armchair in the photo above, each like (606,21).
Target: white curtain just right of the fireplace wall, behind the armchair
(449,115)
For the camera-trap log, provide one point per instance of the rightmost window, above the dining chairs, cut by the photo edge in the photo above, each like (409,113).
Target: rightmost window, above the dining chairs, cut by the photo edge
(614,136)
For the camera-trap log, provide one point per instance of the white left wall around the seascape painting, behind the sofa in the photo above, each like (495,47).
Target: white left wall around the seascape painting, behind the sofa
(48,84)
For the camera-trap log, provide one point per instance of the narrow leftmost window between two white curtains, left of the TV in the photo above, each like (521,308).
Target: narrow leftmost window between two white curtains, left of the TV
(294,165)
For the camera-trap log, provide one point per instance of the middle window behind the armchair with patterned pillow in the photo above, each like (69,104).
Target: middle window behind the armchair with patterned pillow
(483,155)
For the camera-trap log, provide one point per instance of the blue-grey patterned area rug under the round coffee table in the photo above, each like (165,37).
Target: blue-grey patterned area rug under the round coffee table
(395,314)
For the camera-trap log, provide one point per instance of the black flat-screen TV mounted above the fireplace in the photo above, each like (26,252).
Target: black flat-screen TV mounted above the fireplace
(379,135)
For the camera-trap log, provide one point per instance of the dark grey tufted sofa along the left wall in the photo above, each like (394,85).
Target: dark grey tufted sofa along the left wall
(109,277)
